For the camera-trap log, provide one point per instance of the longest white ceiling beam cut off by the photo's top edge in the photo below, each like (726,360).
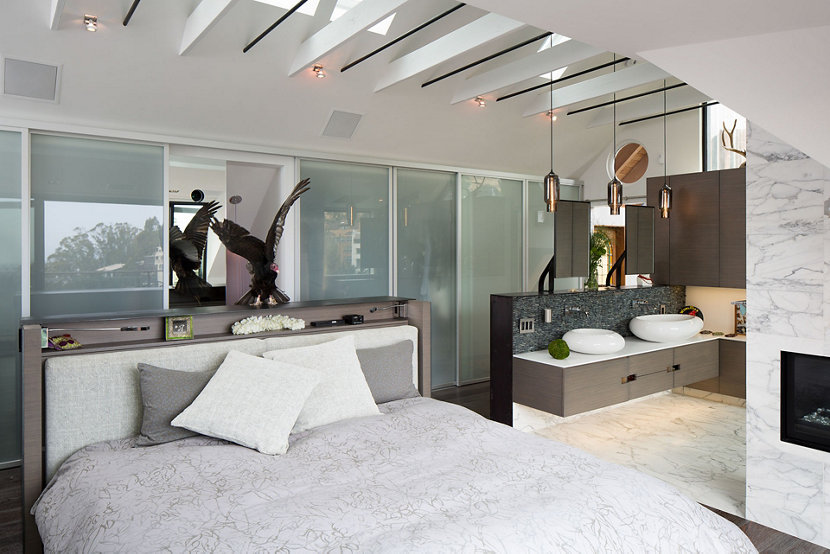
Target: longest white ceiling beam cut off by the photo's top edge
(361,17)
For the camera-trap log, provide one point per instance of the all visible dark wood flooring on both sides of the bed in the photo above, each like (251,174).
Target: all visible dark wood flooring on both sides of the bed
(475,397)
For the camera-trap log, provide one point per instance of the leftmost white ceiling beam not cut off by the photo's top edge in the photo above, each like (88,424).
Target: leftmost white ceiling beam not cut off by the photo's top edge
(464,39)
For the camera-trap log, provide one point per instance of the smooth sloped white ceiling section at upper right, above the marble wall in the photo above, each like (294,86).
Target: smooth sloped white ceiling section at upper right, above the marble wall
(765,59)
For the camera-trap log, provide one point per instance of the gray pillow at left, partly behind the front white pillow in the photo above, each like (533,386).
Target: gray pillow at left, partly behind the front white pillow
(165,393)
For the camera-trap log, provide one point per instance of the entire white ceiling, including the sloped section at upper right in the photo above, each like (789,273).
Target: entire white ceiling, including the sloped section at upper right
(133,78)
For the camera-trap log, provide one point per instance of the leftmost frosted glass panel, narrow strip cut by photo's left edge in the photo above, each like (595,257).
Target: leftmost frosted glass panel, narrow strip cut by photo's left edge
(10,152)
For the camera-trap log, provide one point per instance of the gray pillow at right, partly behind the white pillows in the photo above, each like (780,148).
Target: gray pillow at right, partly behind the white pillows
(388,371)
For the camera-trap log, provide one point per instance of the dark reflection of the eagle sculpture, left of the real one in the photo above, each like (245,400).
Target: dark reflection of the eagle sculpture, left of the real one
(187,249)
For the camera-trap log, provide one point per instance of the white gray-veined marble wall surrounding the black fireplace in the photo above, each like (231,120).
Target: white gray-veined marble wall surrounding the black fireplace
(788,308)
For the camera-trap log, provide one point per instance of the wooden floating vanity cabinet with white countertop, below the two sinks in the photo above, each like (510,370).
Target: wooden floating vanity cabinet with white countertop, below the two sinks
(584,382)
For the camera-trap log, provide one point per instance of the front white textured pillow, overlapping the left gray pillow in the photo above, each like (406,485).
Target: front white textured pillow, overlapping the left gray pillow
(250,401)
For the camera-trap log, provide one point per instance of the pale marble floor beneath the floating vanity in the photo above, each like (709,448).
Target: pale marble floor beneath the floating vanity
(697,445)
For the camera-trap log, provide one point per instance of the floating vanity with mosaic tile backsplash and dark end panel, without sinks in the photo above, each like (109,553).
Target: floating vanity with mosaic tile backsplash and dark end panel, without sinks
(522,370)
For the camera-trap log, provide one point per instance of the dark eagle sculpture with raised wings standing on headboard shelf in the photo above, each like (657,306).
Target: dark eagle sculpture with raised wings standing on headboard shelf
(261,256)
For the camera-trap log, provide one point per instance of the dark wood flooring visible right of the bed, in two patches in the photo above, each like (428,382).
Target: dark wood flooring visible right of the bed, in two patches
(768,541)
